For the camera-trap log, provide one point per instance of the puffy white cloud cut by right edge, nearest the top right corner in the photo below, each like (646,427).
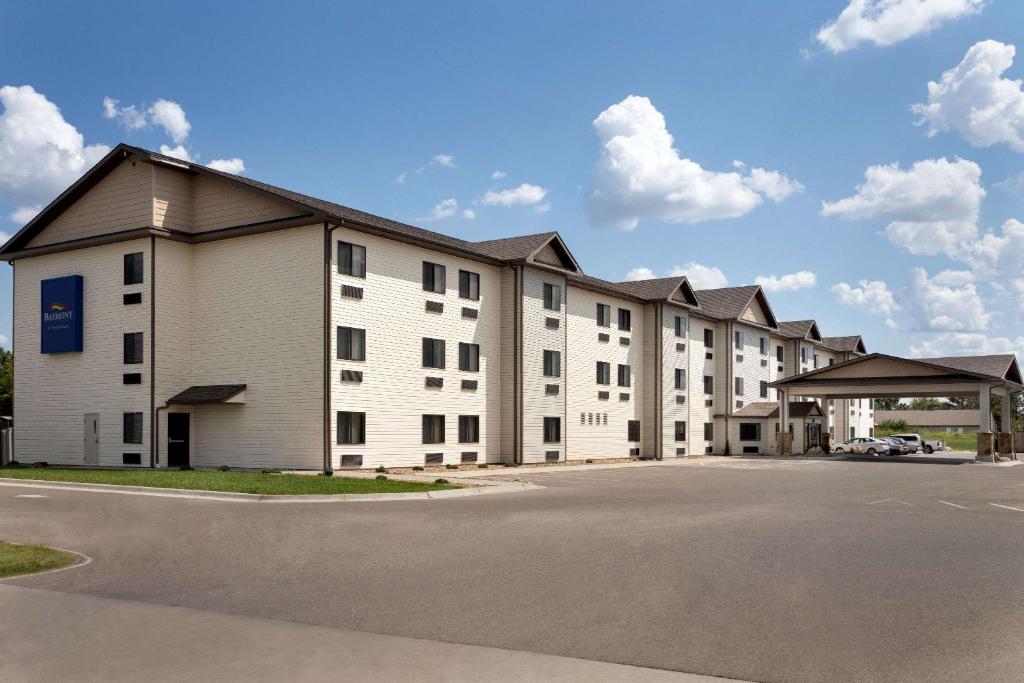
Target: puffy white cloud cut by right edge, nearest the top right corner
(973,99)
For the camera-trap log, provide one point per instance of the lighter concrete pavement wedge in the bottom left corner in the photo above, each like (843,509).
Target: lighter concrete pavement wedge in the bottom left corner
(52,636)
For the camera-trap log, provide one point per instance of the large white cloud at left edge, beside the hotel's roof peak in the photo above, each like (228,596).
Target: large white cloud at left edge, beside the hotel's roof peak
(40,153)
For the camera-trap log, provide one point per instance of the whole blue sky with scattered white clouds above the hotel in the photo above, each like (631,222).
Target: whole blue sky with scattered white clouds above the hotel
(340,100)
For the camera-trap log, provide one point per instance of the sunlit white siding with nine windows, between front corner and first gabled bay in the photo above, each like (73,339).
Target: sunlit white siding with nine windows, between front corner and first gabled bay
(393,394)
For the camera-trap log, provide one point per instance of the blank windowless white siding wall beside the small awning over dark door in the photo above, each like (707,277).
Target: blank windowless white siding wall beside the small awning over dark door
(258,320)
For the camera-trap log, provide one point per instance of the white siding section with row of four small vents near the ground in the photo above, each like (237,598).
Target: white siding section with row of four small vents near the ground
(598,439)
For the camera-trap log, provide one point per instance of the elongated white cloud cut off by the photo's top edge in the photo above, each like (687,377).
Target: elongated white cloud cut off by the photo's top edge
(885,23)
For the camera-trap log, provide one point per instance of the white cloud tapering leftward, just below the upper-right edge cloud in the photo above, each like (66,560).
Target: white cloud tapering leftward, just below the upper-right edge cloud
(931,207)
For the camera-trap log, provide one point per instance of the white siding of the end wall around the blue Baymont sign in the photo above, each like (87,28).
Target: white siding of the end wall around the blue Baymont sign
(57,391)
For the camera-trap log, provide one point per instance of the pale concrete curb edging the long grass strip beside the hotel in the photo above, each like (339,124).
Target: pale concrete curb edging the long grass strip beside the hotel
(505,488)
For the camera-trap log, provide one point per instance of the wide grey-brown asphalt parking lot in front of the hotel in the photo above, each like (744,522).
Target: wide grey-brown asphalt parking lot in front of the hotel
(795,571)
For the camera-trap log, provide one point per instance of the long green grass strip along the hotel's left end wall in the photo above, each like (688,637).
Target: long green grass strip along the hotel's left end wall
(240,483)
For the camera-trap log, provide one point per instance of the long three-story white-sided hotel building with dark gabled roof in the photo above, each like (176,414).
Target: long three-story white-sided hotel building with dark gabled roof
(226,322)
